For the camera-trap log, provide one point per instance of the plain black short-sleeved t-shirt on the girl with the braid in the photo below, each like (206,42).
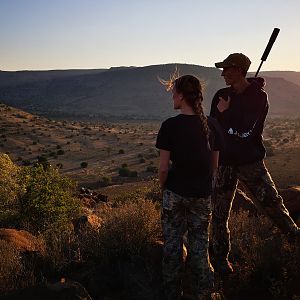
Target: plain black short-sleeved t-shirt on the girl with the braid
(190,172)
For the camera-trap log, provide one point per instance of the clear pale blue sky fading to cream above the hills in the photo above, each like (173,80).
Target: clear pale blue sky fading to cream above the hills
(91,34)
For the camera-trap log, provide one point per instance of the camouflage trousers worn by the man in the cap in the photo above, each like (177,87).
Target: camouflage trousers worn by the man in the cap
(258,182)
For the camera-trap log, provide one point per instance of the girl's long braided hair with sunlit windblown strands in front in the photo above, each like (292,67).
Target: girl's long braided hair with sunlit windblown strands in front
(191,89)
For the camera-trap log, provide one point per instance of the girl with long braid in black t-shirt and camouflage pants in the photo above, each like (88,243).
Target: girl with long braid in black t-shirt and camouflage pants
(187,186)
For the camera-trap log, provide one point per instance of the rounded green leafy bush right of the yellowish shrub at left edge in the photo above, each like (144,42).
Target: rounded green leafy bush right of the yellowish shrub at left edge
(48,199)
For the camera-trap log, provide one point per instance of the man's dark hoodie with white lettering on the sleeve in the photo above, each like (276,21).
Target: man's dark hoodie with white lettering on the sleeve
(242,123)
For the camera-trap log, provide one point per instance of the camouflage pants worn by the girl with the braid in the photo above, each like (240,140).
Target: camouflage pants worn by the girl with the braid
(181,215)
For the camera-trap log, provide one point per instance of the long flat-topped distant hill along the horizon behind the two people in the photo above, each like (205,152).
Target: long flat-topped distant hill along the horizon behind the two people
(125,92)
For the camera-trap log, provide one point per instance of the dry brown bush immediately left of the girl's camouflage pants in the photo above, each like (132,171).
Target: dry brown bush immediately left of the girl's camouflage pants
(129,228)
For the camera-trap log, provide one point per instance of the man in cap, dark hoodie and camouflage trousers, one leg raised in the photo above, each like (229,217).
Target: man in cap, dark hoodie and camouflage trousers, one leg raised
(241,110)
